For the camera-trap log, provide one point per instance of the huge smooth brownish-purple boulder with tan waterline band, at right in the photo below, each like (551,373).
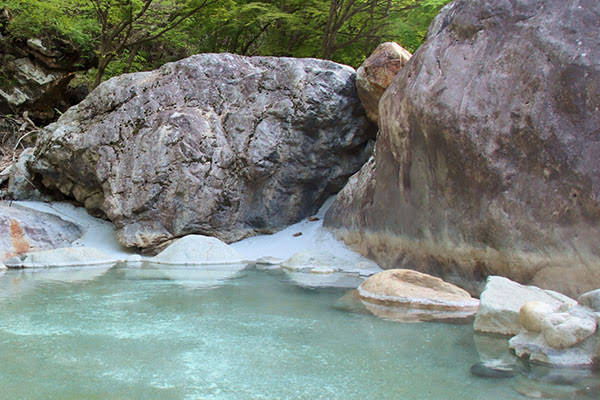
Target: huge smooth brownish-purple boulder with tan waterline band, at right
(488,159)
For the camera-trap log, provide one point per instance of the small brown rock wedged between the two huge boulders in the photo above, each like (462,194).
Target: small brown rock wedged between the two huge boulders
(376,74)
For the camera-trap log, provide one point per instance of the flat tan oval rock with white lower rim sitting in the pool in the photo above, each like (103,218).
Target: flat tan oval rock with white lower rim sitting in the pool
(415,295)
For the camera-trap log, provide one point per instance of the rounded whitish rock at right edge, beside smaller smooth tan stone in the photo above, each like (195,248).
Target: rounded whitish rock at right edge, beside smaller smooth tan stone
(564,330)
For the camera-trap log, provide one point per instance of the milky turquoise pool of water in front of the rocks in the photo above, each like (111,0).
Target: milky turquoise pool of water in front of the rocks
(139,334)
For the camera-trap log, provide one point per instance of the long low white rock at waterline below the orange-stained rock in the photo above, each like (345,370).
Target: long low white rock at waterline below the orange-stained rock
(70,256)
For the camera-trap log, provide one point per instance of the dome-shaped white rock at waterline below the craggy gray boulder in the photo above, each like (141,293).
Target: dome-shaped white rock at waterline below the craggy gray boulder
(198,250)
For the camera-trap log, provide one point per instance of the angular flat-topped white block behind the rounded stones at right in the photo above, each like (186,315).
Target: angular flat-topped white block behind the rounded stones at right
(502,300)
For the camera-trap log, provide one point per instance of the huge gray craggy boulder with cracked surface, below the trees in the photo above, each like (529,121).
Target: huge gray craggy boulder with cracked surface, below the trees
(215,144)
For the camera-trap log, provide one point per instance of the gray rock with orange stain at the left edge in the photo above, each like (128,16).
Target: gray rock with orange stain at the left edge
(23,230)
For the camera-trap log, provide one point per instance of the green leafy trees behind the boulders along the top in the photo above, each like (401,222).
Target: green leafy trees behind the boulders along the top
(134,35)
